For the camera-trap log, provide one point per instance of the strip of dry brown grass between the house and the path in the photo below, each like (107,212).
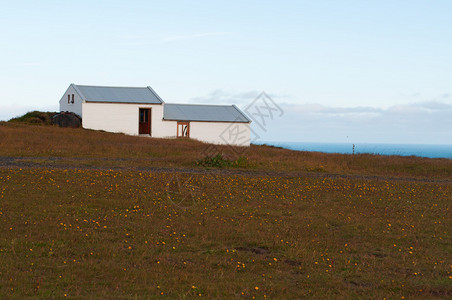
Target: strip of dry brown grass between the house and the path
(48,141)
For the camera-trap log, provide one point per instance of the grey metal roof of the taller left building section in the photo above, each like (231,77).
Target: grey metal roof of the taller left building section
(145,95)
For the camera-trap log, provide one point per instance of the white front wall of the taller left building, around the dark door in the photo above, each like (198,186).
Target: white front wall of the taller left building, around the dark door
(120,117)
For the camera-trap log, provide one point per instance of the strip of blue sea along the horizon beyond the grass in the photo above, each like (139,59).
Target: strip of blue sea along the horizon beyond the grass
(431,151)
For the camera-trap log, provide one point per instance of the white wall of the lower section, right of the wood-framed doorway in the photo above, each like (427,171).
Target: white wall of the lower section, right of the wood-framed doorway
(237,134)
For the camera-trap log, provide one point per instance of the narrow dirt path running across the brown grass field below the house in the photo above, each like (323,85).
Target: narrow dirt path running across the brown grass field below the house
(115,164)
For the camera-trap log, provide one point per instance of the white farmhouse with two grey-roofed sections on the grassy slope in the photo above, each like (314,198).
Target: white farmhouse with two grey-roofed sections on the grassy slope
(140,111)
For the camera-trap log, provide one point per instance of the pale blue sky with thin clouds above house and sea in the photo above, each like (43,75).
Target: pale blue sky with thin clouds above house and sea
(361,71)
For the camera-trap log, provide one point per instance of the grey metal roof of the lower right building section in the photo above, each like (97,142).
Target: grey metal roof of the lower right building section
(194,112)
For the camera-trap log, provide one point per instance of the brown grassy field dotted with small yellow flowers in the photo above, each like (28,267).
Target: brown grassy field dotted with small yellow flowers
(100,215)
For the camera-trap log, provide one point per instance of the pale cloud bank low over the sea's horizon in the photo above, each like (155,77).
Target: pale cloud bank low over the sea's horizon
(424,122)
